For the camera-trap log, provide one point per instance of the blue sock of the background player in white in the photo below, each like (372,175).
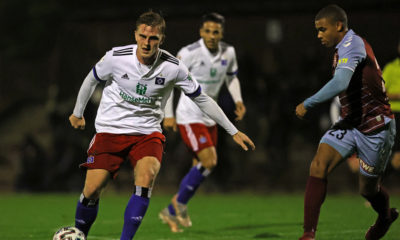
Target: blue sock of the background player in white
(191,182)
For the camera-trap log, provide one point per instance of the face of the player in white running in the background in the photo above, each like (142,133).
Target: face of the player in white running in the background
(212,33)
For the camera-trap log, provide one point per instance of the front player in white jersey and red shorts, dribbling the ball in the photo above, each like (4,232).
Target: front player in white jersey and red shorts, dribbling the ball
(138,81)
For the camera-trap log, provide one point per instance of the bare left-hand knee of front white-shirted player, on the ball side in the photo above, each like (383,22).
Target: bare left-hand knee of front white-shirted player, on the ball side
(96,180)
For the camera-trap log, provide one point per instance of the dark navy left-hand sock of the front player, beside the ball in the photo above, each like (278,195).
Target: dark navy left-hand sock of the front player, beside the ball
(86,213)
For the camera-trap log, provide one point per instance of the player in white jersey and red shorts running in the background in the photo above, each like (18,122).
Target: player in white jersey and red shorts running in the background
(213,63)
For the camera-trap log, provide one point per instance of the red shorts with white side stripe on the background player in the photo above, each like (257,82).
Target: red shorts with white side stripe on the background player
(198,136)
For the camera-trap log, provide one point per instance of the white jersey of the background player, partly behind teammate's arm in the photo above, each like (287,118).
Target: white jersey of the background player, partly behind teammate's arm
(211,71)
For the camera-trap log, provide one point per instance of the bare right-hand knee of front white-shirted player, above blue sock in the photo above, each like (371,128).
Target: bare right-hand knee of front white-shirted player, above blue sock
(146,170)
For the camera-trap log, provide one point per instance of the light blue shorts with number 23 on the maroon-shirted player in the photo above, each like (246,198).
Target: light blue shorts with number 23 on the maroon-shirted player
(373,150)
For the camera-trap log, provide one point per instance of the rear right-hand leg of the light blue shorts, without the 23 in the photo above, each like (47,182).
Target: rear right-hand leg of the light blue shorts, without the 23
(374,150)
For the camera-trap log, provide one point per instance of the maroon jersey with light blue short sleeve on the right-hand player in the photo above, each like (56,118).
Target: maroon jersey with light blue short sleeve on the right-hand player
(364,103)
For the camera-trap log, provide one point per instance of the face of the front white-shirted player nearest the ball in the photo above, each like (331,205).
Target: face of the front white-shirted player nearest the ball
(148,39)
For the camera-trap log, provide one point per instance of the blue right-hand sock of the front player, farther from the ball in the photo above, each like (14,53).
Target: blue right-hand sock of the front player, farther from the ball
(135,211)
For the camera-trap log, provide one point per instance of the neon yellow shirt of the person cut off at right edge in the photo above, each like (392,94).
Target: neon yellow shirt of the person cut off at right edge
(391,75)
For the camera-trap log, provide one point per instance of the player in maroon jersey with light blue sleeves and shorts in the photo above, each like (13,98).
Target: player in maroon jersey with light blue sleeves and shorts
(367,125)
